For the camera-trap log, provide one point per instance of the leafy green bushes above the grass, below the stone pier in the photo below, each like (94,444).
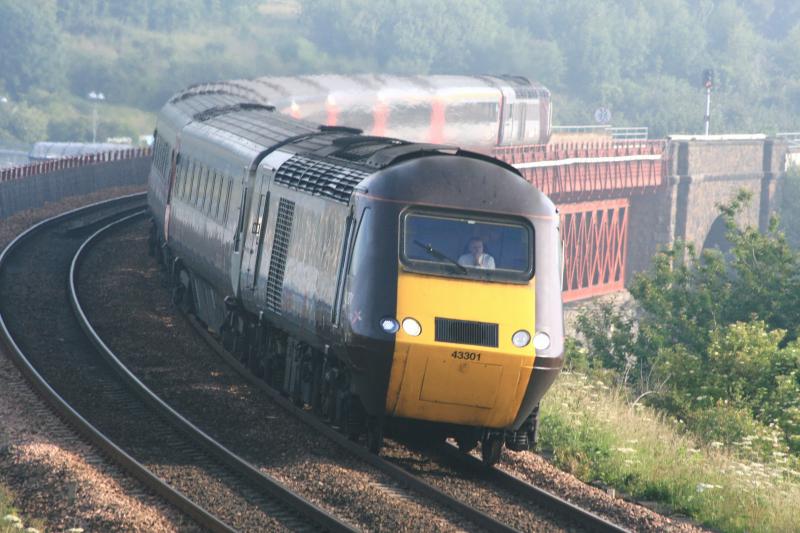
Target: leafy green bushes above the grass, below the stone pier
(715,342)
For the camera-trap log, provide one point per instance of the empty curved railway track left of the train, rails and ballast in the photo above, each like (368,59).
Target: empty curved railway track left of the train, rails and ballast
(51,346)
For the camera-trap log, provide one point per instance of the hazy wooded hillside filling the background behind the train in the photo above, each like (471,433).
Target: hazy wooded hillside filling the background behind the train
(642,60)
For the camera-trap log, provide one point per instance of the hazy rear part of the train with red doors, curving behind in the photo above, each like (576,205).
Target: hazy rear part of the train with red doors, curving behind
(477,112)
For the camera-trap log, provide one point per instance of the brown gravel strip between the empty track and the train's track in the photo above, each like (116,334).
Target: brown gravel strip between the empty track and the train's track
(165,353)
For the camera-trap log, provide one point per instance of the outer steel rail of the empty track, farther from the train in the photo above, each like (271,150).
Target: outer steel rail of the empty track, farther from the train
(66,413)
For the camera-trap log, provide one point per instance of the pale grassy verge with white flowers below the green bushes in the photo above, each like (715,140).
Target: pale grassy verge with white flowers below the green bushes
(593,433)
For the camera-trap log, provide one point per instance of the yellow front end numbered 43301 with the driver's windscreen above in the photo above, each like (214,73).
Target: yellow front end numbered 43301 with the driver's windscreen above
(454,358)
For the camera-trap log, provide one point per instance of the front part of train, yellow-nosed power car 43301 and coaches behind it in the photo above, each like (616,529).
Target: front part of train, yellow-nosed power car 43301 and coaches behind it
(382,283)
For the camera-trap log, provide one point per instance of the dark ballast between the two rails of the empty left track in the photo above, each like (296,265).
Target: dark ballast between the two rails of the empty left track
(34,280)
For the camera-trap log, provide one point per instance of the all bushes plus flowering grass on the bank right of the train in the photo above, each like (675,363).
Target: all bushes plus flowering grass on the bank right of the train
(693,393)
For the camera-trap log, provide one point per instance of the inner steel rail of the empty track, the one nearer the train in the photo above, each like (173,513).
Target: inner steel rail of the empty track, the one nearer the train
(263,481)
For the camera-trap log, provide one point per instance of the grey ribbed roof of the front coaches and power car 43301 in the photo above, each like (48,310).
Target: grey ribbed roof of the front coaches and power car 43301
(340,157)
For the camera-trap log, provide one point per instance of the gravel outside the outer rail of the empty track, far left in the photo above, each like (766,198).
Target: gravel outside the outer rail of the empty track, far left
(54,475)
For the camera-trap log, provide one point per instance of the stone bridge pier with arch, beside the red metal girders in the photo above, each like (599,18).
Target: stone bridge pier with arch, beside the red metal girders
(701,174)
